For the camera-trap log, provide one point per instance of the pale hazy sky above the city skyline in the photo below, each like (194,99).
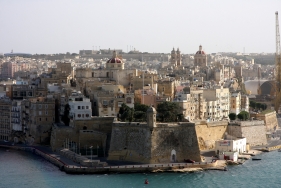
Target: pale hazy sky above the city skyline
(60,26)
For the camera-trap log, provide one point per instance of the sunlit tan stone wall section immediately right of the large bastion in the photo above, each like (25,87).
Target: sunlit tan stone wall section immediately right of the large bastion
(209,132)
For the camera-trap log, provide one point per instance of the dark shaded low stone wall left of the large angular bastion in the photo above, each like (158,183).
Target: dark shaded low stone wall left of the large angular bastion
(84,133)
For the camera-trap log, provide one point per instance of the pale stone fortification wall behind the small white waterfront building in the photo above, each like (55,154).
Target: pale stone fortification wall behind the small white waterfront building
(253,131)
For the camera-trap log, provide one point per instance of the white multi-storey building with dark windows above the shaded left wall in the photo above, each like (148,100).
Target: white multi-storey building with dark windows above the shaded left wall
(80,106)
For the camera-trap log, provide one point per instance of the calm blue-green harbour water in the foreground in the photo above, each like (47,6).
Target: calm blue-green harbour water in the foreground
(22,169)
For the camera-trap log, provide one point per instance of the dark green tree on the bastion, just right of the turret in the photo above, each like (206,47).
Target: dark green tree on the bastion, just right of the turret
(167,111)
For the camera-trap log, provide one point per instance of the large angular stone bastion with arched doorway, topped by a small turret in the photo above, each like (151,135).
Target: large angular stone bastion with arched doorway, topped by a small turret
(164,143)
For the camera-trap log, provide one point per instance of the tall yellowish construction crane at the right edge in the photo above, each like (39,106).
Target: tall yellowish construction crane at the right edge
(277,100)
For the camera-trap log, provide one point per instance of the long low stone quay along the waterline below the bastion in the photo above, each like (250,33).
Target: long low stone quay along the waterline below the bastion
(71,167)
